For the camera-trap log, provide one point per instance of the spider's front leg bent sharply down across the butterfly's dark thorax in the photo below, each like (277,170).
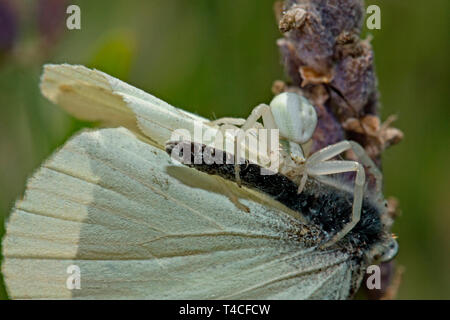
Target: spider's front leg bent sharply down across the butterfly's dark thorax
(332,167)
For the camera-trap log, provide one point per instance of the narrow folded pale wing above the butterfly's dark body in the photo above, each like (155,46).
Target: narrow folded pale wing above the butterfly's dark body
(96,96)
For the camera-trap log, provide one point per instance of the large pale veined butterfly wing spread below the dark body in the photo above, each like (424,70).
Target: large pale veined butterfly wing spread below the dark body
(139,226)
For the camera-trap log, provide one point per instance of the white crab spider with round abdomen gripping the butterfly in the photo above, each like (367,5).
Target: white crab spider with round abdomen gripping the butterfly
(296,119)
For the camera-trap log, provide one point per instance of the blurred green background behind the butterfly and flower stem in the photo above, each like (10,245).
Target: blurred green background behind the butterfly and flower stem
(217,58)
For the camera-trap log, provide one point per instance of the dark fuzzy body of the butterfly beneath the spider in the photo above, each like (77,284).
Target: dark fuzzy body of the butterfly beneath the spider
(325,205)
